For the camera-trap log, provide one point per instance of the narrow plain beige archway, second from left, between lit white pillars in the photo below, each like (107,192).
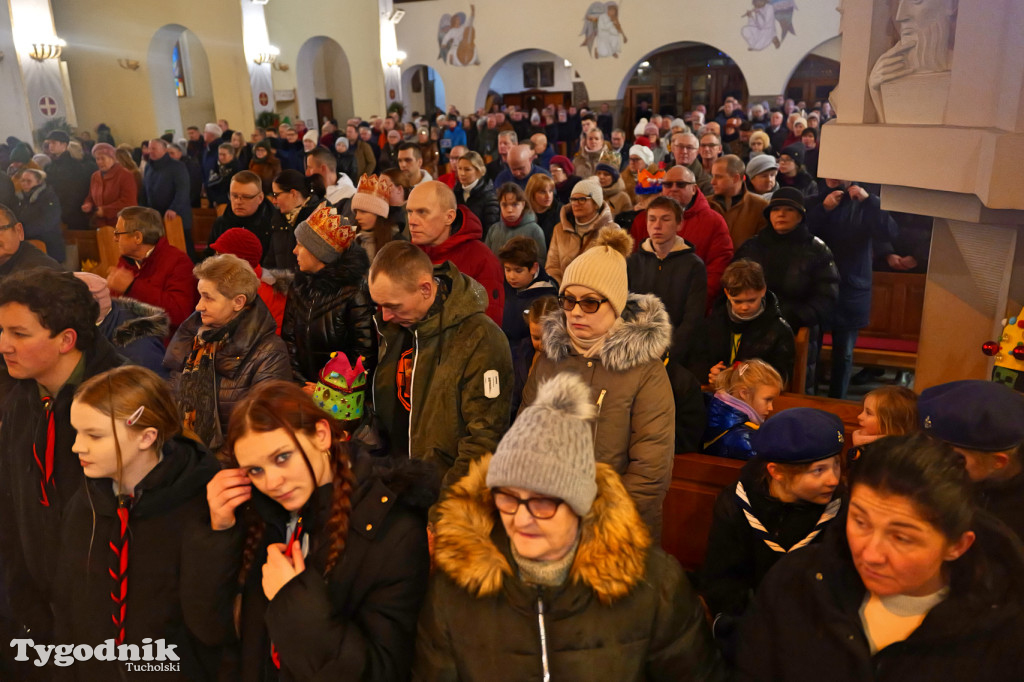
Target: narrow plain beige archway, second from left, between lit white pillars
(324,82)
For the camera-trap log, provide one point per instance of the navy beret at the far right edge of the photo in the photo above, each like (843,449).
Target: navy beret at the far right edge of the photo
(973,414)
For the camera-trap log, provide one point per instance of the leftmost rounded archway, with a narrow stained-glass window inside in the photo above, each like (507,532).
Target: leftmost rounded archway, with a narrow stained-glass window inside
(180,80)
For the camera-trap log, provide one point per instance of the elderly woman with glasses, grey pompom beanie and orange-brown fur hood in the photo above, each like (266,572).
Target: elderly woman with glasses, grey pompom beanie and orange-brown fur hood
(545,571)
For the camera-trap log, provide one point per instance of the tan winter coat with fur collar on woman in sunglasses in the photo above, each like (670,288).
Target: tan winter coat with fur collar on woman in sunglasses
(635,429)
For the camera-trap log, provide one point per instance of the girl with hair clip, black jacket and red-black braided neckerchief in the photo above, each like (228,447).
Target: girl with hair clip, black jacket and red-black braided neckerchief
(119,576)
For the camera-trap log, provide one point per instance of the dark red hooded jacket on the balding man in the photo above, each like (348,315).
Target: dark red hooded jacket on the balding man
(470,254)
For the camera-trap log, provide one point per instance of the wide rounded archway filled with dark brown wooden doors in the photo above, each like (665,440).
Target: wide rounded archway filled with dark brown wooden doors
(676,78)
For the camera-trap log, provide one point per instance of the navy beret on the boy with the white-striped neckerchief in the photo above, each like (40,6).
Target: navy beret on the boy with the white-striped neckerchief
(799,436)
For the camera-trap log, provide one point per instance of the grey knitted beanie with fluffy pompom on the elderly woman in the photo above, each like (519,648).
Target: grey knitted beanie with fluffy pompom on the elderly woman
(550,448)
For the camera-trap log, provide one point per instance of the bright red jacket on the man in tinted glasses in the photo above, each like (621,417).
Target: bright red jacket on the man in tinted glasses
(706,230)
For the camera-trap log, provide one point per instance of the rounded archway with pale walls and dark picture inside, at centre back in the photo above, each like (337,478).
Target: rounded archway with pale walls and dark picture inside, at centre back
(531,79)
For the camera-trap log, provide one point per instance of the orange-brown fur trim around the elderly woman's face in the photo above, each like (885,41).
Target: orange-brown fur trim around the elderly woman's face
(611,560)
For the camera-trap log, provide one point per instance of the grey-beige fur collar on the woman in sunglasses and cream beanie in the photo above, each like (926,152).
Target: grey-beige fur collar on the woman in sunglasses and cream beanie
(645,335)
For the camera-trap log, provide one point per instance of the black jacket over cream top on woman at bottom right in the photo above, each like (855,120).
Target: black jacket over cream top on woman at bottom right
(805,624)
